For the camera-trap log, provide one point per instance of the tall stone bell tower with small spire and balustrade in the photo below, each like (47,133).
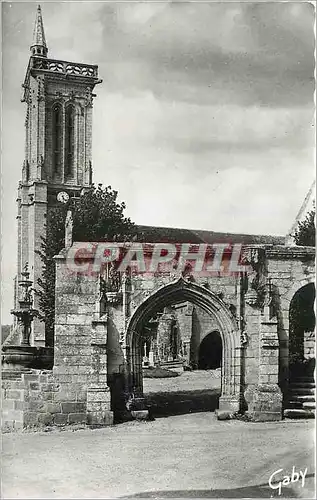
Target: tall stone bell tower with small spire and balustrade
(58,138)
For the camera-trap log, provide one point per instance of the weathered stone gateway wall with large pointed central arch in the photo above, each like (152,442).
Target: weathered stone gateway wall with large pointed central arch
(103,322)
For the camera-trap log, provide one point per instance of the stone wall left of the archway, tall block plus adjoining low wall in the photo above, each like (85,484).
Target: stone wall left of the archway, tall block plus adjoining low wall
(76,390)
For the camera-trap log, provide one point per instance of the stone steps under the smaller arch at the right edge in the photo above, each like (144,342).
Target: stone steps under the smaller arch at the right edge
(301,398)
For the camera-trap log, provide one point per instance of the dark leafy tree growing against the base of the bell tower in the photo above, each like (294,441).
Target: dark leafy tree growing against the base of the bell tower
(97,216)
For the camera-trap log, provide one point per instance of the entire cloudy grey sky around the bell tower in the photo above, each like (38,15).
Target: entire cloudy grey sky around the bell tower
(204,118)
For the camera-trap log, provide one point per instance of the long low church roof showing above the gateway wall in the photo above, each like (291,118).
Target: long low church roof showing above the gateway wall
(154,234)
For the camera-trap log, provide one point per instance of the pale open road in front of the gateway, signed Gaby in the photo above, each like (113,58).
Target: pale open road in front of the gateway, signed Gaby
(191,456)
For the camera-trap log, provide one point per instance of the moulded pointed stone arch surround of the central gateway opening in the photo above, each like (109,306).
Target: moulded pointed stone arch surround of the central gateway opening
(176,292)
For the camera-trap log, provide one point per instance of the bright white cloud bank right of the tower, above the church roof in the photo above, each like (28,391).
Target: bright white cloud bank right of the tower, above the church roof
(235,169)
